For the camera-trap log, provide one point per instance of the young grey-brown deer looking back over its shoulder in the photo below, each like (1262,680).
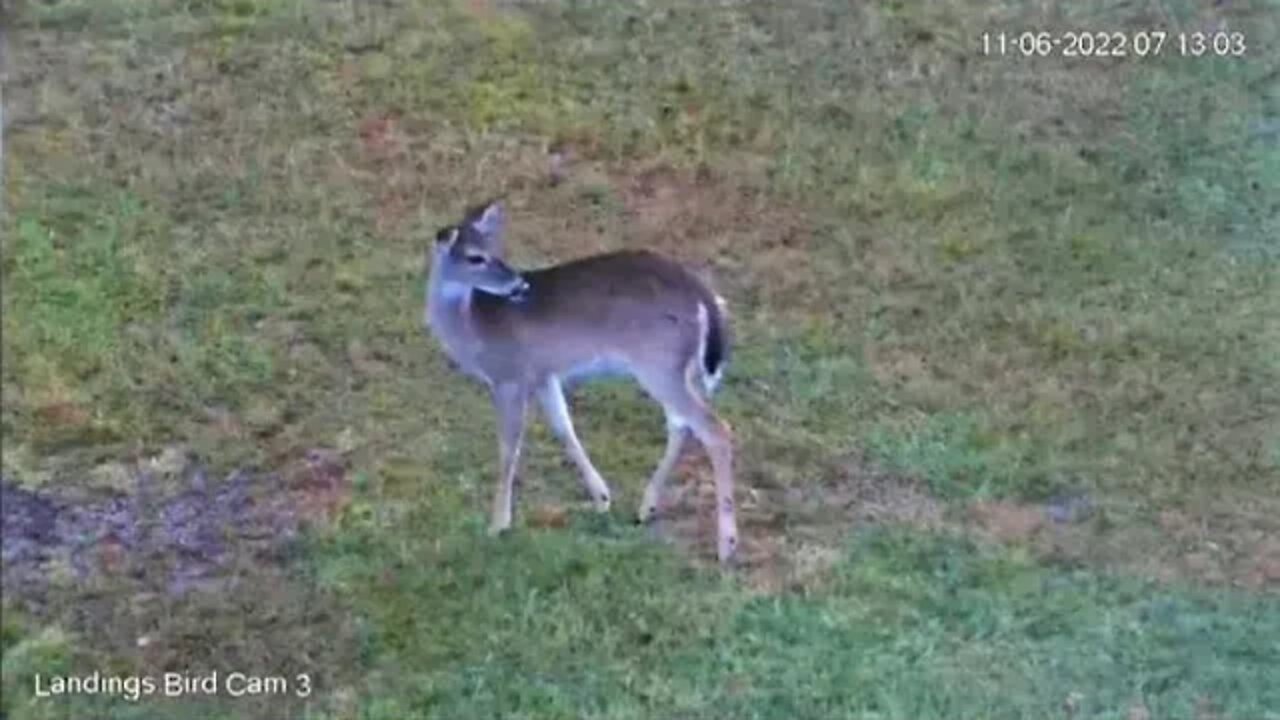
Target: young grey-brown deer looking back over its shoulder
(534,334)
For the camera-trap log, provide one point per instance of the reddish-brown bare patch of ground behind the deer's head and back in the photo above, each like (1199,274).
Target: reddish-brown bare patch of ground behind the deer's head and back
(566,202)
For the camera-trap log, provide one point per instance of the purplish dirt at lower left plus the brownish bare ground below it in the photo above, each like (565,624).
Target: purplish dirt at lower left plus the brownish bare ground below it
(163,567)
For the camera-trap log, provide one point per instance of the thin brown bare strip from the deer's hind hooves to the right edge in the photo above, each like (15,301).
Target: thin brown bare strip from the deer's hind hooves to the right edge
(792,537)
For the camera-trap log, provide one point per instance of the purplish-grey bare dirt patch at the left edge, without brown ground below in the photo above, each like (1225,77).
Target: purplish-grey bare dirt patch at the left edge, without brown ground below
(177,539)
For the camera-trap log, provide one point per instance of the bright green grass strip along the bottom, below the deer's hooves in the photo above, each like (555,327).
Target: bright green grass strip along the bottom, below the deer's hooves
(907,627)
